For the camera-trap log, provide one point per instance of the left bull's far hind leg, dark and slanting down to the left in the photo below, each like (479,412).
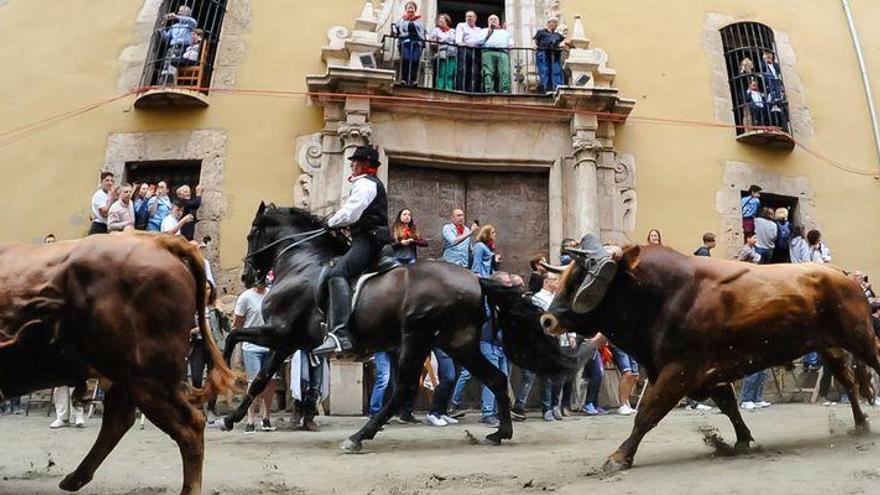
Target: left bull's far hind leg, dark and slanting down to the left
(118,418)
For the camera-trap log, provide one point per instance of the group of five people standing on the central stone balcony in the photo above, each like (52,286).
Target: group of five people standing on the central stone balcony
(470,58)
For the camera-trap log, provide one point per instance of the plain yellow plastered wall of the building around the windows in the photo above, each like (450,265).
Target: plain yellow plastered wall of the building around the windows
(58,55)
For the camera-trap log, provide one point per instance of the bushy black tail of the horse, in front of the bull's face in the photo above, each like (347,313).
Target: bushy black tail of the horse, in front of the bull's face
(522,336)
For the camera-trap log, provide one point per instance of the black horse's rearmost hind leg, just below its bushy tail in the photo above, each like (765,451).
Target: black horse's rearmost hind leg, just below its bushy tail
(470,357)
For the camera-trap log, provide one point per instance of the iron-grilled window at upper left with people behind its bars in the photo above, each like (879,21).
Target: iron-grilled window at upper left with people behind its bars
(184,44)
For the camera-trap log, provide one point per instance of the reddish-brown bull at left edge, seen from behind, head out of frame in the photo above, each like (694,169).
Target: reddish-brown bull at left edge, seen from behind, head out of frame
(116,306)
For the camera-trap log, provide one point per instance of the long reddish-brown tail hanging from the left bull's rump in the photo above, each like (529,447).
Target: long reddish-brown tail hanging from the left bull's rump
(221,378)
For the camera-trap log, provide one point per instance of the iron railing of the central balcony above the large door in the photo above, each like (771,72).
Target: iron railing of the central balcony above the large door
(449,67)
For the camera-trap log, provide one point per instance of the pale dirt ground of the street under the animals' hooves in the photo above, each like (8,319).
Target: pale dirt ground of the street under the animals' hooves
(803,449)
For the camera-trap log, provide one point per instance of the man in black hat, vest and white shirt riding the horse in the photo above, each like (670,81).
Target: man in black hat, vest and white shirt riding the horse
(365,213)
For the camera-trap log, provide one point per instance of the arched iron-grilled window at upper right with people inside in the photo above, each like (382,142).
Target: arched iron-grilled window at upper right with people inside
(757,88)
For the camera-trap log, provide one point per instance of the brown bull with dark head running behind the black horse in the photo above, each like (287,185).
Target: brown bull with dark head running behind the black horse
(697,324)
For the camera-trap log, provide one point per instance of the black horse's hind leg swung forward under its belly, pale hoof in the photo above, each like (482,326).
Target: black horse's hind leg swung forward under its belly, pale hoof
(413,352)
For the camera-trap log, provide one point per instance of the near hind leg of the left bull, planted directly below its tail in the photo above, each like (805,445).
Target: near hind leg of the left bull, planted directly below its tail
(167,407)
